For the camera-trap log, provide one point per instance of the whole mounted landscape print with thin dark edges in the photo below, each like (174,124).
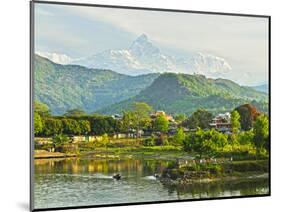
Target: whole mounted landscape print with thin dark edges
(124,110)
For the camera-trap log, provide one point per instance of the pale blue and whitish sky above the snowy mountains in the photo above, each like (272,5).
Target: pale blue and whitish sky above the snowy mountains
(79,31)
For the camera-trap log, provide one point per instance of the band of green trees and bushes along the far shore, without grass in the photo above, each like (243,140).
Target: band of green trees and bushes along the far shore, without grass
(201,141)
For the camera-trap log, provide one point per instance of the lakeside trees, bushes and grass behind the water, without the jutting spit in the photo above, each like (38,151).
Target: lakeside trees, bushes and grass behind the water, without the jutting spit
(248,136)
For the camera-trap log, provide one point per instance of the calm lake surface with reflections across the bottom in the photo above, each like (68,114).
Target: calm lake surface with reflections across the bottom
(87,181)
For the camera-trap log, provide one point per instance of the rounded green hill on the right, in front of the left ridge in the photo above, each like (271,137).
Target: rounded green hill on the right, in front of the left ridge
(184,93)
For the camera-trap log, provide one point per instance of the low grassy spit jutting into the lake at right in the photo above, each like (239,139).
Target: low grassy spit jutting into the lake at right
(210,172)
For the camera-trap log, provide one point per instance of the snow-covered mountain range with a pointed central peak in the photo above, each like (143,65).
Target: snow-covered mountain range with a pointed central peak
(142,57)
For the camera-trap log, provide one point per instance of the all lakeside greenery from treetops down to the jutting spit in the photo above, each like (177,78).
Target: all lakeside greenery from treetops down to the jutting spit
(141,132)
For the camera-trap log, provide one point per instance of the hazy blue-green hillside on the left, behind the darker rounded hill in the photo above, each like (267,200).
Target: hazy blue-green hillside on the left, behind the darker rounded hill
(64,87)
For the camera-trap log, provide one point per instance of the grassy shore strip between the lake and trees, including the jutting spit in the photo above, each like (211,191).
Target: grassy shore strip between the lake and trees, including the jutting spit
(184,166)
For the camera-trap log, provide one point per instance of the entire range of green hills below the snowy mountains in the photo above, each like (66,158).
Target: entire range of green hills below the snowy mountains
(64,87)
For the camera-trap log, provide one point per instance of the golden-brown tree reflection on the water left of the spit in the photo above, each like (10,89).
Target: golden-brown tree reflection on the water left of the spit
(89,165)
